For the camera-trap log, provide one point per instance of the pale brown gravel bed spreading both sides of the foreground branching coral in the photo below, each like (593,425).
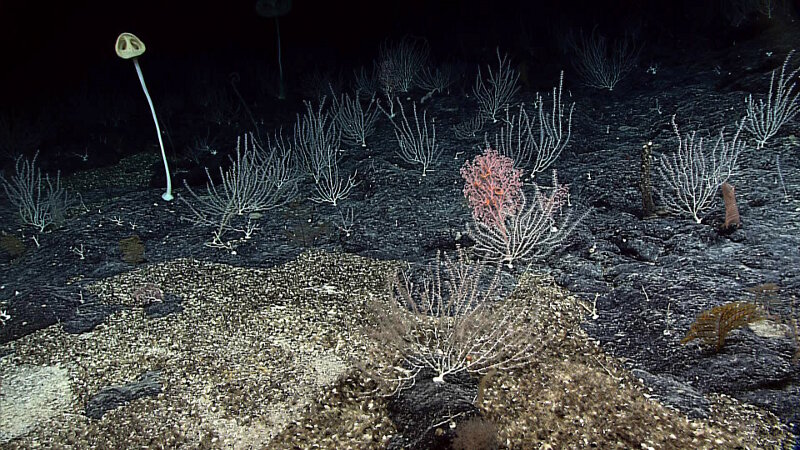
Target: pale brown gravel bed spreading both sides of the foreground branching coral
(256,360)
